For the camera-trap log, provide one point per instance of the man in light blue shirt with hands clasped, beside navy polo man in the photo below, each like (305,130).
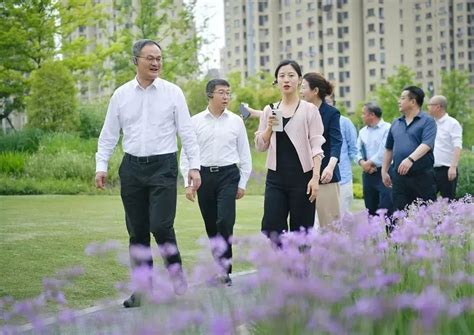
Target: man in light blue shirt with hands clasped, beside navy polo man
(370,151)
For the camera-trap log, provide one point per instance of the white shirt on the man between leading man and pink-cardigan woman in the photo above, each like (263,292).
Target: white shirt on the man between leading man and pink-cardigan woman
(222,141)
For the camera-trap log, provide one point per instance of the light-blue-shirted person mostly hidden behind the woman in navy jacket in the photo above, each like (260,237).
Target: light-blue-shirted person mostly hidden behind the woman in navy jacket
(348,155)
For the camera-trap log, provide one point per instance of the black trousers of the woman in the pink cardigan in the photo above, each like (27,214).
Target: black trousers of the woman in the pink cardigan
(285,193)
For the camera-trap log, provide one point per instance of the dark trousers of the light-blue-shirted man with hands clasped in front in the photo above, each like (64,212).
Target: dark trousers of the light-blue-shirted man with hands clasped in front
(376,194)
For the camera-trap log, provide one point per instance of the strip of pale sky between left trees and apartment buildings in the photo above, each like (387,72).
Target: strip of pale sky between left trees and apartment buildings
(213,33)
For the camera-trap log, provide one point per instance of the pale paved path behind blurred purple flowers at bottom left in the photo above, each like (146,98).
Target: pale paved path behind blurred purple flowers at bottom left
(112,318)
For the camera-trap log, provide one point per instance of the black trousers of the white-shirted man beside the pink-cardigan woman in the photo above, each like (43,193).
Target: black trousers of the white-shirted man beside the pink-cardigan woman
(216,198)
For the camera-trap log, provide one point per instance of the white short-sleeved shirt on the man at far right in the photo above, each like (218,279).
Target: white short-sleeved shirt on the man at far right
(448,137)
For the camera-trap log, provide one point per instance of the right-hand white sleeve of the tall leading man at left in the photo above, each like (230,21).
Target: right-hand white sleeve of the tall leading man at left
(186,131)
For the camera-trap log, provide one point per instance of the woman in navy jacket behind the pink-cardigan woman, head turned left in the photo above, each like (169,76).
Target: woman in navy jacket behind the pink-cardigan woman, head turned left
(314,89)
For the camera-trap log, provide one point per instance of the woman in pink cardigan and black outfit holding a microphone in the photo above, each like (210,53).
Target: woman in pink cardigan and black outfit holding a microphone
(294,156)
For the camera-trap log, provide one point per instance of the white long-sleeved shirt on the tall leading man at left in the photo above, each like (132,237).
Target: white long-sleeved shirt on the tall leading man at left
(149,119)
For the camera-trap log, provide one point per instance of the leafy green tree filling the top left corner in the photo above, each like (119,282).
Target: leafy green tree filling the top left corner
(29,30)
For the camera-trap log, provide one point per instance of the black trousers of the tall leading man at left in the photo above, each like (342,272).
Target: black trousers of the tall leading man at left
(148,191)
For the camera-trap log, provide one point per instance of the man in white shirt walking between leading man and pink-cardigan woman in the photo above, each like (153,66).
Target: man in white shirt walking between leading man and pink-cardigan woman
(226,164)
